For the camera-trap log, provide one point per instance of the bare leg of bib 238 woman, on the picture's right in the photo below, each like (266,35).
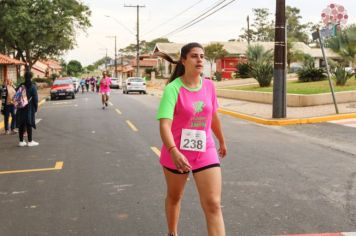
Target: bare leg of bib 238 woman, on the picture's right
(208,183)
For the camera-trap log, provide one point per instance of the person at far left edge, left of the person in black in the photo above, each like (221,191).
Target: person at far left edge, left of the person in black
(8,107)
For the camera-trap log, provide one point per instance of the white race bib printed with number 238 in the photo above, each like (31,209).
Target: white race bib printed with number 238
(193,140)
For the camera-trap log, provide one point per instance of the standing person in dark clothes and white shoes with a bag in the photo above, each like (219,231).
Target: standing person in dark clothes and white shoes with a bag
(25,117)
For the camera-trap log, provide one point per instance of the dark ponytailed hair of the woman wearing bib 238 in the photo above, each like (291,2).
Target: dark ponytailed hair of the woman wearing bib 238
(179,70)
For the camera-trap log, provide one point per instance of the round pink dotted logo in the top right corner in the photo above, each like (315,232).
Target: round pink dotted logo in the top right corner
(334,14)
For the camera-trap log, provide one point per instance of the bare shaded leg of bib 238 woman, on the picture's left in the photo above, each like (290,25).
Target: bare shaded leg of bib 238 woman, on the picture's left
(175,189)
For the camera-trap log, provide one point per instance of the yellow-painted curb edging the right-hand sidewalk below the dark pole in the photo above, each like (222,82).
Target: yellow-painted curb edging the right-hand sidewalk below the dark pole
(280,122)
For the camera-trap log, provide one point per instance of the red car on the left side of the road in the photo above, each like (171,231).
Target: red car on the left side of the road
(62,87)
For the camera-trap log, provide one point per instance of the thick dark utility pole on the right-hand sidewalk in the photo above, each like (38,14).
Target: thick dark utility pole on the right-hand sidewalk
(279,82)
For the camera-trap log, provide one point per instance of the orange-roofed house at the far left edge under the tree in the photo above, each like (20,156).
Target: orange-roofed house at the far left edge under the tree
(9,68)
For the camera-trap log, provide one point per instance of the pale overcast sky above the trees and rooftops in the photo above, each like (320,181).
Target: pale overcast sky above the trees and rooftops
(223,25)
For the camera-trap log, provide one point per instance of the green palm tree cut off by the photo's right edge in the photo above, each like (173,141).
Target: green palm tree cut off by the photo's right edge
(345,44)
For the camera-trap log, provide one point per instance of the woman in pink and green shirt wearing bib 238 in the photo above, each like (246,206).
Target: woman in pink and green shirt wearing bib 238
(187,117)
